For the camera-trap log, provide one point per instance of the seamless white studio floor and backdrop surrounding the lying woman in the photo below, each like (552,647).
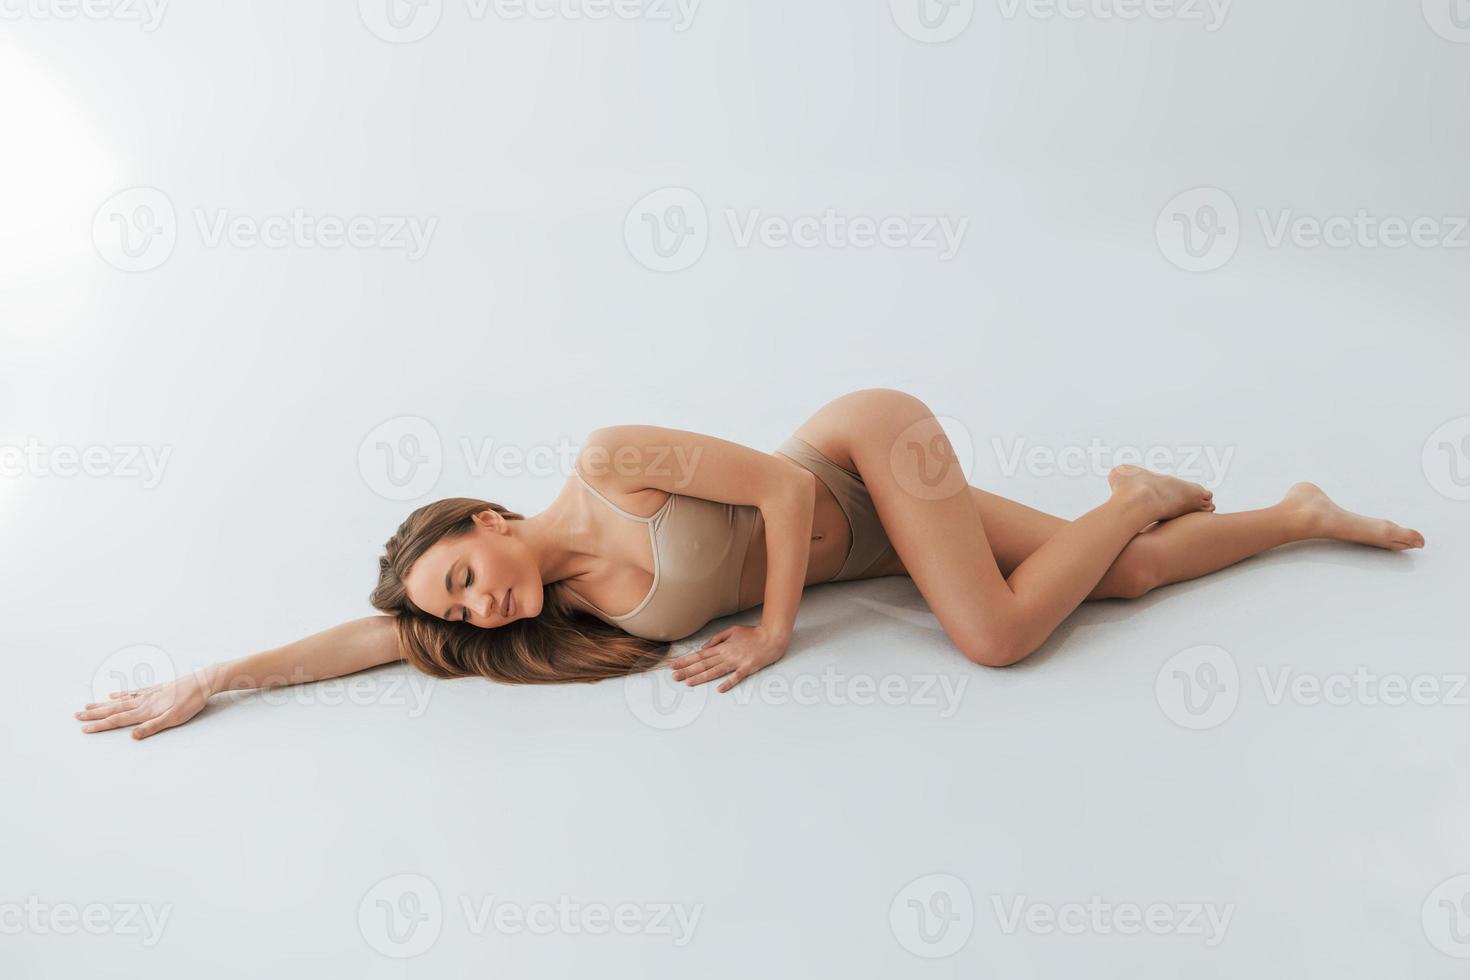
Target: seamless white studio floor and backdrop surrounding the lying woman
(1255,775)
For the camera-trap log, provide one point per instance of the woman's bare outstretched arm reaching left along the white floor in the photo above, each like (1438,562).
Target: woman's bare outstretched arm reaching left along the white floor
(333,653)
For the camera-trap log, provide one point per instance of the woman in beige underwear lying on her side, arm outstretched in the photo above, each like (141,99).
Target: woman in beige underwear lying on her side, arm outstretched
(680,528)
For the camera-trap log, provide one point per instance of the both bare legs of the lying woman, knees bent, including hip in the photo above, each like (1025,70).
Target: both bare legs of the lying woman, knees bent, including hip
(1000,577)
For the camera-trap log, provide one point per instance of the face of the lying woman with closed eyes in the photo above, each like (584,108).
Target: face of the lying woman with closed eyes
(468,578)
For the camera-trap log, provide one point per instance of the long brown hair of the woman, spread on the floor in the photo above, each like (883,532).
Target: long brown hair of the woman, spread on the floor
(562,644)
